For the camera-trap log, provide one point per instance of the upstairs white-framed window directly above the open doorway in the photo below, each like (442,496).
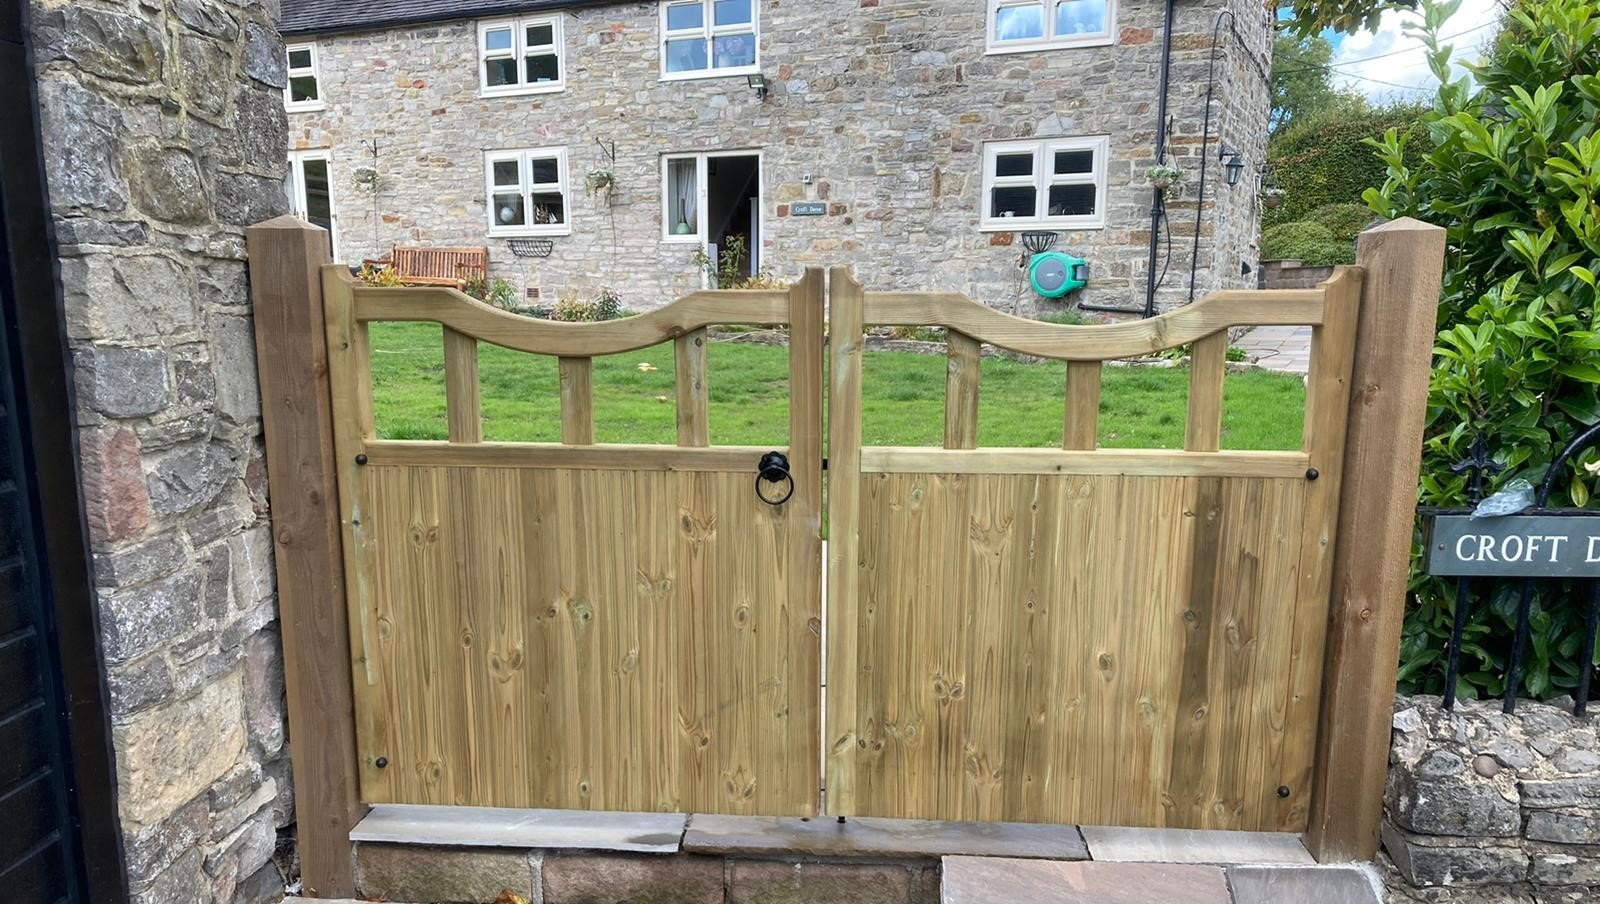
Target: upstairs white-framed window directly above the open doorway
(710,38)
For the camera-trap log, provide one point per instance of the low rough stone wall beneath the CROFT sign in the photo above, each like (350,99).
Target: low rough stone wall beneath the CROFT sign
(1486,807)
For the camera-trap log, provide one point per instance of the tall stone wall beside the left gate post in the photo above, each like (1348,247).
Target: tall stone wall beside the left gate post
(164,137)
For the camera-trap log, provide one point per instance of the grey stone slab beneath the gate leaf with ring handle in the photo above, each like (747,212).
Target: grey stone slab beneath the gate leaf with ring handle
(498,828)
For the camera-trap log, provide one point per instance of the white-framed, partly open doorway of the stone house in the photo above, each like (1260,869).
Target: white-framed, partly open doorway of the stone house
(716,201)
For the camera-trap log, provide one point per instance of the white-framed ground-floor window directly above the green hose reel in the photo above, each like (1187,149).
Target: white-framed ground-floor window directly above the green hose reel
(1057,183)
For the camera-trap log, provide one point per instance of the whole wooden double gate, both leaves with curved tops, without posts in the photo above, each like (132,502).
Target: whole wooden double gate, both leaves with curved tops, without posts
(1068,636)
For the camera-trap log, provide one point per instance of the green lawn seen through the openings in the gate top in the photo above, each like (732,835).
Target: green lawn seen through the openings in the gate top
(903,399)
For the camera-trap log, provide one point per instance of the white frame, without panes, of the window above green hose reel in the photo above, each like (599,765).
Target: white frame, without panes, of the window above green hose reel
(1044,177)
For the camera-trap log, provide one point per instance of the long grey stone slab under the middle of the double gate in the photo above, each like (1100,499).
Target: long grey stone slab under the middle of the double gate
(868,838)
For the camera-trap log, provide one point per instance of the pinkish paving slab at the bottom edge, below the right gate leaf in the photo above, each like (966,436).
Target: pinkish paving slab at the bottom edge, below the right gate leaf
(993,881)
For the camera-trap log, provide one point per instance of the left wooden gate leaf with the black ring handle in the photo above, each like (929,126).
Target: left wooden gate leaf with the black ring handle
(580,626)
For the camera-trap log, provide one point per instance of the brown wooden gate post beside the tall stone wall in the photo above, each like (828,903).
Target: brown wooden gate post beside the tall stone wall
(292,358)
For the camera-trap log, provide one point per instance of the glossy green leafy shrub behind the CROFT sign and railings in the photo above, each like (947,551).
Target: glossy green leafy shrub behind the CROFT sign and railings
(1511,169)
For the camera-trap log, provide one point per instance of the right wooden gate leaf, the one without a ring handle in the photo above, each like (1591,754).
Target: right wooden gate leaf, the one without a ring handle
(1079,634)
